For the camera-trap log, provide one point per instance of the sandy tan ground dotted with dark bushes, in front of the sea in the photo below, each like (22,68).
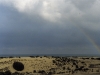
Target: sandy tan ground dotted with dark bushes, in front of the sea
(46,65)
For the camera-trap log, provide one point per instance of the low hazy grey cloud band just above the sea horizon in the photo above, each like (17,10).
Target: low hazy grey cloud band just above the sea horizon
(70,50)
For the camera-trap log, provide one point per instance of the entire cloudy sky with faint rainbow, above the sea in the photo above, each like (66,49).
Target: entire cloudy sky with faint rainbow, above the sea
(49,27)
